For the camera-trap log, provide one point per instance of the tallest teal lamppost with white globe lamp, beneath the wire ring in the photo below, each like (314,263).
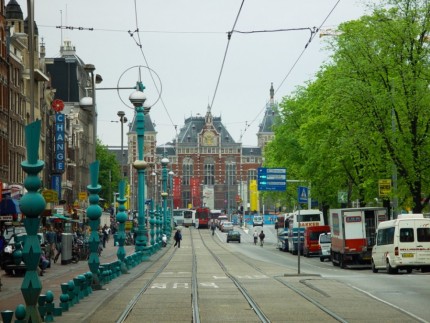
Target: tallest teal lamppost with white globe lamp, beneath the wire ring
(137,98)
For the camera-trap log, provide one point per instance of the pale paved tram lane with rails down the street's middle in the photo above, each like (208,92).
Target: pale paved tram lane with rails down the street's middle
(211,275)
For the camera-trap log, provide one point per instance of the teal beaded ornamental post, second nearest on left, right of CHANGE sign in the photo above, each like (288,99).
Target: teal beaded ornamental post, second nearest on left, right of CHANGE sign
(94,212)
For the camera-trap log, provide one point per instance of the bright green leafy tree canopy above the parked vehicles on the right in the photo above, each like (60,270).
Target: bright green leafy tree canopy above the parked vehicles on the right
(366,111)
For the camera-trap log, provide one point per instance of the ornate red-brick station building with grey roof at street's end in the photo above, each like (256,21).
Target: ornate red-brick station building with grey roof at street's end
(209,167)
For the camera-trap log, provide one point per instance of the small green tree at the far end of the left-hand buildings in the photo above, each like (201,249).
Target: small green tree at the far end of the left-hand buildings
(110,174)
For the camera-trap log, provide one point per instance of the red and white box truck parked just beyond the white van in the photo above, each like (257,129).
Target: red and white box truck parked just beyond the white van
(353,235)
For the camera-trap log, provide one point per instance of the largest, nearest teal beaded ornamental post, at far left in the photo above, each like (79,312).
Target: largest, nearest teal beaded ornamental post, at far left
(32,205)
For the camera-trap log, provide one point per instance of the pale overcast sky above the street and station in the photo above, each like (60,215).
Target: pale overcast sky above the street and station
(185,45)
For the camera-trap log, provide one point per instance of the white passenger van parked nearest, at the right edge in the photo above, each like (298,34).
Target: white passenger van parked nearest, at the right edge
(403,243)
